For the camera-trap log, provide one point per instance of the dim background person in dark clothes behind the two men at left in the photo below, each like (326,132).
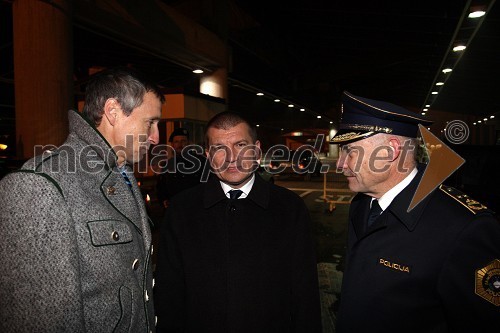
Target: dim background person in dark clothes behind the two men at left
(183,170)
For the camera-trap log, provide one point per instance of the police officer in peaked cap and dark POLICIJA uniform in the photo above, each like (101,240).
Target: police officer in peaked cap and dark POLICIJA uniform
(434,268)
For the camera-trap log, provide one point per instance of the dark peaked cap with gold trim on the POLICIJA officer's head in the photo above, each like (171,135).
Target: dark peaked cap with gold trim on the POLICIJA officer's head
(368,117)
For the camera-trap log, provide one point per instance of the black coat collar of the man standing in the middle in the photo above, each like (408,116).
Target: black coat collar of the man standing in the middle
(213,192)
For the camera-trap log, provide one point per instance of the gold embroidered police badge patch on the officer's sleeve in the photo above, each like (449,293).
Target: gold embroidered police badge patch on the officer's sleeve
(488,282)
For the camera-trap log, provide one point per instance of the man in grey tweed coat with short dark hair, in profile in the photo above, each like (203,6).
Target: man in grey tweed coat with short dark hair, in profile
(75,248)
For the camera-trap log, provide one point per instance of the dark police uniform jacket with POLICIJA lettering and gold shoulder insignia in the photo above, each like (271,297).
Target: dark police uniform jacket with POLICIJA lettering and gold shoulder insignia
(432,269)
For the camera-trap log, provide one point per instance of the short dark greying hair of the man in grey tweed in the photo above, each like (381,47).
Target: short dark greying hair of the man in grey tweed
(127,86)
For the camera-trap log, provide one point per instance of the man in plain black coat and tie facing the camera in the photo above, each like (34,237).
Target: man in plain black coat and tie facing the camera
(236,253)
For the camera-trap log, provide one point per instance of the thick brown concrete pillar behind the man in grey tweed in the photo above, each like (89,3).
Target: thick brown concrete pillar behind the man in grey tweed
(43,67)
